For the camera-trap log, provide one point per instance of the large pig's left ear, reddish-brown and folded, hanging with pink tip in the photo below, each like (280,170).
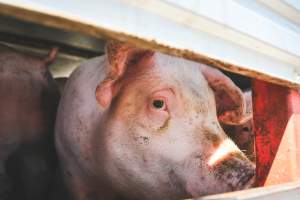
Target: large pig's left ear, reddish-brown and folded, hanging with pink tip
(120,56)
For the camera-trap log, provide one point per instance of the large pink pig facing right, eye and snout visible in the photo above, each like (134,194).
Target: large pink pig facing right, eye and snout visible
(137,124)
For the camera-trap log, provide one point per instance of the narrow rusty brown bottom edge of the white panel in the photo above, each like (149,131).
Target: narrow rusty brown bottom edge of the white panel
(98,32)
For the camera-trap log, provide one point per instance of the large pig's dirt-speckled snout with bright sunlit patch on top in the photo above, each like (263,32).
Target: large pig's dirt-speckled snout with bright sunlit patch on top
(231,166)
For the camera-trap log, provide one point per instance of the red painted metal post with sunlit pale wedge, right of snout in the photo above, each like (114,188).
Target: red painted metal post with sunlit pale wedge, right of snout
(276,115)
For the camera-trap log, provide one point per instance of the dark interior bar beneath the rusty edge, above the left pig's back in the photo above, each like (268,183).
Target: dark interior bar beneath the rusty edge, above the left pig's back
(21,32)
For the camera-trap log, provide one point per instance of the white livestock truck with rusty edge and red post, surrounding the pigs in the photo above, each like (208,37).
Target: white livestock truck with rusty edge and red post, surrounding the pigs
(256,43)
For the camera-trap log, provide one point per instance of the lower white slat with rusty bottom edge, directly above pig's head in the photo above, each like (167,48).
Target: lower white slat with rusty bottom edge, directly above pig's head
(155,32)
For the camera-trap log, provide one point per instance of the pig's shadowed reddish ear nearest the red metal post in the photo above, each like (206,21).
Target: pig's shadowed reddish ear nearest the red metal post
(231,104)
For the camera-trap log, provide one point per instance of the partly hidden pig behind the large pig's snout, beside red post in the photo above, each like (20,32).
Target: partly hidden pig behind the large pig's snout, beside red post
(243,134)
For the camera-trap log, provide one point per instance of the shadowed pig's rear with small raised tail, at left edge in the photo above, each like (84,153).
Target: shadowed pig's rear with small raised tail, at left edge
(28,105)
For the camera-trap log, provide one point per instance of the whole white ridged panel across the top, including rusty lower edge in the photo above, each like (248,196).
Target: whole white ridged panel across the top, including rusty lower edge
(244,47)
